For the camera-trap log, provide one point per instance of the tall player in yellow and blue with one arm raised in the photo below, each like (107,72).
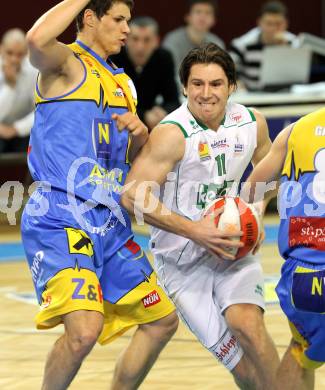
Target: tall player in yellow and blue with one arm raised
(88,272)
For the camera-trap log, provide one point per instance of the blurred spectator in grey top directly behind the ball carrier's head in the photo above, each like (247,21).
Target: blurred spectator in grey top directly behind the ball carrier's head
(200,18)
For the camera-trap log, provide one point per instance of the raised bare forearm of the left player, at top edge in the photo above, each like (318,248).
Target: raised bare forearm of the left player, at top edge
(54,22)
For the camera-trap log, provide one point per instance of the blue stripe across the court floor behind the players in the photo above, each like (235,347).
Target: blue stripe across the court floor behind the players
(14,251)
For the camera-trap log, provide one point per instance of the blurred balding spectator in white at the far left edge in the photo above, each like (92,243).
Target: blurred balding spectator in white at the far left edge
(17,82)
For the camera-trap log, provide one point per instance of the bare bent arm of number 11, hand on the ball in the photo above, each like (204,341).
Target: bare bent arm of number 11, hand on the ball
(164,149)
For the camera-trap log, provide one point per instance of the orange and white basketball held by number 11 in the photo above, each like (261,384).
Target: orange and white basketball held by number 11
(237,215)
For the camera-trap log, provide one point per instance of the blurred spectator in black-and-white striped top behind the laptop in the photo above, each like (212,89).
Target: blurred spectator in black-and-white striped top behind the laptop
(247,50)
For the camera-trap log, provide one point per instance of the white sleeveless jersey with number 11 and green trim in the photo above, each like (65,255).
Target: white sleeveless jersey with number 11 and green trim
(212,166)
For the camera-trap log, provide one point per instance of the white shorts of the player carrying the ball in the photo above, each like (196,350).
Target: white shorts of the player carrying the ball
(202,286)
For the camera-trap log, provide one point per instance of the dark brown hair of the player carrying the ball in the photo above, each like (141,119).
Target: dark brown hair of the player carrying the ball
(209,53)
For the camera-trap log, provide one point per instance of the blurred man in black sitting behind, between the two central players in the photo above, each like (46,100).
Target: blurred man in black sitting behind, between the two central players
(152,70)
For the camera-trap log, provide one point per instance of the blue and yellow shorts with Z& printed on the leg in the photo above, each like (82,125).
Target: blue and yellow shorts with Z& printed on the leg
(74,269)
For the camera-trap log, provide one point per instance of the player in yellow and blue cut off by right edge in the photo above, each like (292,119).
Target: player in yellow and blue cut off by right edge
(298,154)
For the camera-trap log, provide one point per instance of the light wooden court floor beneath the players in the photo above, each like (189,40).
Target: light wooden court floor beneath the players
(183,364)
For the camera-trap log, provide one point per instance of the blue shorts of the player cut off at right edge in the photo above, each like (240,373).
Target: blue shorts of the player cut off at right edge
(301,291)
